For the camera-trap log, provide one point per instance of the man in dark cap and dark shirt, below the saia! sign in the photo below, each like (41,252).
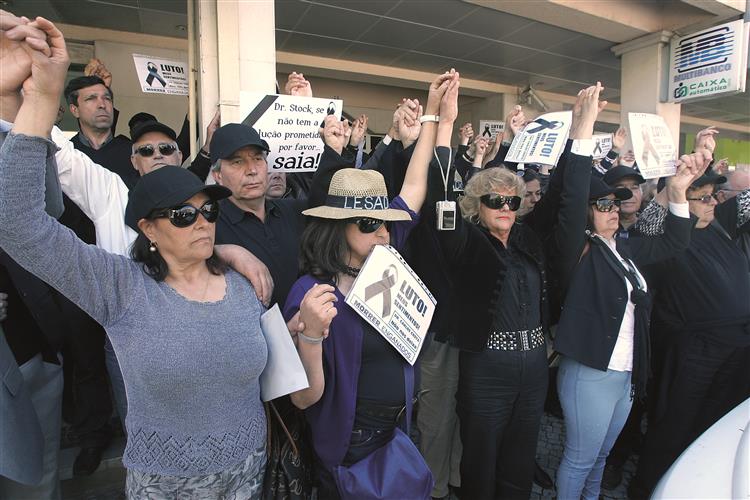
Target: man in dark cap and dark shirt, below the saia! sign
(269,228)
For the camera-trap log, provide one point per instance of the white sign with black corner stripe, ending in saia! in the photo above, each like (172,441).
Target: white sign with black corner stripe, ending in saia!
(290,126)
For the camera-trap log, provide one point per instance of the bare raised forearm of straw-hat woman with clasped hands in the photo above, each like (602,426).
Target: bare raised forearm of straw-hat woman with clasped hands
(442,97)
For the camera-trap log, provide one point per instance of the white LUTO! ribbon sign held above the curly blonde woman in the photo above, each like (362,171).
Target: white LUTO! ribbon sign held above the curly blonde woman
(541,140)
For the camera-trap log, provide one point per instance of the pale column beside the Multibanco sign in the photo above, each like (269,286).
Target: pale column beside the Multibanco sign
(644,78)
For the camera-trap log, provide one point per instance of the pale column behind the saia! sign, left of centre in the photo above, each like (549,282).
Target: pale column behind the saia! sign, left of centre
(236,52)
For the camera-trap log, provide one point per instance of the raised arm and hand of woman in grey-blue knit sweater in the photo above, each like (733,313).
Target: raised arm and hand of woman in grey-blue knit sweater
(100,283)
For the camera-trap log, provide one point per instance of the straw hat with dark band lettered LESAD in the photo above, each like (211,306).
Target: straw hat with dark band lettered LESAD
(357,193)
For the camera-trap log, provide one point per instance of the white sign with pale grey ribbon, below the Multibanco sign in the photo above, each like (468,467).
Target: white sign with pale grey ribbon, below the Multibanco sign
(653,146)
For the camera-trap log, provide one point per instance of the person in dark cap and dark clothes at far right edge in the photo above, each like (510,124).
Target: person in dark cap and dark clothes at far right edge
(702,314)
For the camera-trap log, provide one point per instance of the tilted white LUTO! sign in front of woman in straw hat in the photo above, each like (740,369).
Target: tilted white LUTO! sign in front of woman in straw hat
(392,298)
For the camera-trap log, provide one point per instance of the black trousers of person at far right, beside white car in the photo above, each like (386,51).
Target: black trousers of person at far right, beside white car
(704,379)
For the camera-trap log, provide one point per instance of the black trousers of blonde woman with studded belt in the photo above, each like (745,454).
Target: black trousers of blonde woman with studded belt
(500,403)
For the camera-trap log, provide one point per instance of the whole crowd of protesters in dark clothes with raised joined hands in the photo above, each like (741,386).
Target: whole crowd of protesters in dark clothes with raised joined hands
(124,266)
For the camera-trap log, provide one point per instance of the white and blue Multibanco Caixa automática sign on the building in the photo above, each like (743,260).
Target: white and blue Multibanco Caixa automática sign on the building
(707,63)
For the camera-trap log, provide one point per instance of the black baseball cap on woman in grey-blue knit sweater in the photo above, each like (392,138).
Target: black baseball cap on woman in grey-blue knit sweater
(166,187)
